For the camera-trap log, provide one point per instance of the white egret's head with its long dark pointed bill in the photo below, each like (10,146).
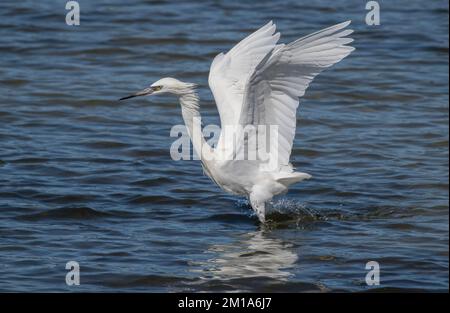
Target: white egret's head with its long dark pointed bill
(164,85)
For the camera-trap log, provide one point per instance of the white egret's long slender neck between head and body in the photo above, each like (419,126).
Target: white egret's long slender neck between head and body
(190,110)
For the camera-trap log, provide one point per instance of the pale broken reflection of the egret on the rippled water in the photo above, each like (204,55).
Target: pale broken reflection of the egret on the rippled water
(252,255)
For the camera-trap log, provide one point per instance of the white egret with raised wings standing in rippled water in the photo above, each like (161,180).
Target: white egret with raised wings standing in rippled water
(258,82)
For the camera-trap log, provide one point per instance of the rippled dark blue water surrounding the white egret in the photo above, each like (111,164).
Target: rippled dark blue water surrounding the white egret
(86,178)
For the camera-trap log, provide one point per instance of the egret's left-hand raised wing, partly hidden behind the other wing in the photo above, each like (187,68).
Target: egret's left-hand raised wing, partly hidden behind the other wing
(229,73)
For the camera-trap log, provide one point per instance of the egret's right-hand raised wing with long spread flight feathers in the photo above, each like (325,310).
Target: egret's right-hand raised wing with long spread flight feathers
(273,91)
